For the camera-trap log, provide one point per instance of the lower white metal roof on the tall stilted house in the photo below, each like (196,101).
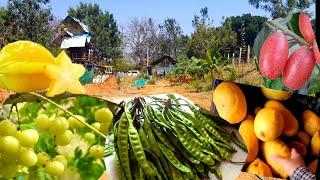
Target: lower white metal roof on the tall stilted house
(75,41)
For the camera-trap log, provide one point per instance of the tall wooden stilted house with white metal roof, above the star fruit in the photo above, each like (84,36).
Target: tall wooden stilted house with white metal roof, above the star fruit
(75,38)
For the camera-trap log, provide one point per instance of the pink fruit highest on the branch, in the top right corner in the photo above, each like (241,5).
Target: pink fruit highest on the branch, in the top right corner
(306,27)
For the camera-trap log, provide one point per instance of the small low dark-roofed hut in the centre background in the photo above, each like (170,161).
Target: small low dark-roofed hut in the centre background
(162,66)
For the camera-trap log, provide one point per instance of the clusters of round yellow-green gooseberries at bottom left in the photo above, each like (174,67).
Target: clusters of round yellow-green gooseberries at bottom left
(18,145)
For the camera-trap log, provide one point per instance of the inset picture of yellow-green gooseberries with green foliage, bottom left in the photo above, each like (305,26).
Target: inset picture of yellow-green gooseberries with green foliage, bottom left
(41,139)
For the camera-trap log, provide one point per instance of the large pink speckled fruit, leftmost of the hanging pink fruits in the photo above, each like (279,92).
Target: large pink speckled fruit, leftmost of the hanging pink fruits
(273,55)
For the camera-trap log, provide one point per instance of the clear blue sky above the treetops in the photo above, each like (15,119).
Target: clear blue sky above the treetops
(182,10)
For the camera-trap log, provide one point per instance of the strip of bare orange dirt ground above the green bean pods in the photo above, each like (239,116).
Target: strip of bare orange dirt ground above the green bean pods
(110,90)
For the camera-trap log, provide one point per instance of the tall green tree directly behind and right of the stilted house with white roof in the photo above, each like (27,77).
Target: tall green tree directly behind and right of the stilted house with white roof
(102,25)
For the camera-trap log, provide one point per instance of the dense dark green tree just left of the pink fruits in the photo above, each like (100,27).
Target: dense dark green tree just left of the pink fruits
(246,26)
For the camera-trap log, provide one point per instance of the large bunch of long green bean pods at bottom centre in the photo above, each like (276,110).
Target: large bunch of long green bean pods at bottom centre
(161,140)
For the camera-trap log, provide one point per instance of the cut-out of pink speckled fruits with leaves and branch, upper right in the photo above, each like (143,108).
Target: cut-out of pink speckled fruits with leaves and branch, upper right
(282,47)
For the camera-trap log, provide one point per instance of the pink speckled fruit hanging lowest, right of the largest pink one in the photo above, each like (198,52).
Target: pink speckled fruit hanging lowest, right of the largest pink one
(298,68)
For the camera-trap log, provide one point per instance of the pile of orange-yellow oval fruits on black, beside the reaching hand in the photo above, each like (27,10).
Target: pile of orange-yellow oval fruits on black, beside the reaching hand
(270,122)
